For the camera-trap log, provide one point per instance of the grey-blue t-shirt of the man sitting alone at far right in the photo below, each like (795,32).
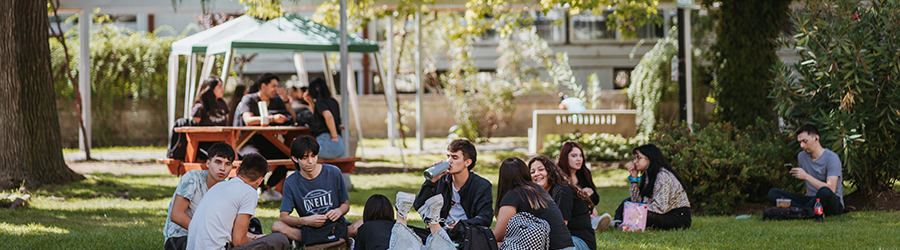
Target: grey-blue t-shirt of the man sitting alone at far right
(827,165)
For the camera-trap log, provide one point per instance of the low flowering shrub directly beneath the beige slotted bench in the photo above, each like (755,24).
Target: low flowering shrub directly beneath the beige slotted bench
(597,147)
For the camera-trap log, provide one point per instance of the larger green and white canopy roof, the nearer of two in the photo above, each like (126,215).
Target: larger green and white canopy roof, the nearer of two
(292,33)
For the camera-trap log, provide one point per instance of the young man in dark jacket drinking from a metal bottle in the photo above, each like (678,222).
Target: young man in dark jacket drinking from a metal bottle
(467,196)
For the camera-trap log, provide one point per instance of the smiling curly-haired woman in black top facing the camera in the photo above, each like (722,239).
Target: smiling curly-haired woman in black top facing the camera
(574,204)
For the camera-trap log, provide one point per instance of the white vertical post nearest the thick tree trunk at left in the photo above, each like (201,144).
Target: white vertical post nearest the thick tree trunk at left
(84,75)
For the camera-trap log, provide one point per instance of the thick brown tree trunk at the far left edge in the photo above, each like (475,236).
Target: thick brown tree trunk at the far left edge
(30,146)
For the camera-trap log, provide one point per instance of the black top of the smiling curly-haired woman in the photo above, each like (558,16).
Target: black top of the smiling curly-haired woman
(575,211)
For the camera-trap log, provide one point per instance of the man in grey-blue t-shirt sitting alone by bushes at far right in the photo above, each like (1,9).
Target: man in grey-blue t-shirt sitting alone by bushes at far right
(820,168)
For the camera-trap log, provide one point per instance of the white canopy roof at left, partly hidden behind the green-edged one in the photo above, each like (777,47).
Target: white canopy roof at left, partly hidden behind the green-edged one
(197,43)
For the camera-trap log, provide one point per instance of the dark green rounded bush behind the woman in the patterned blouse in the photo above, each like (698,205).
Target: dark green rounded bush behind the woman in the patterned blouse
(722,166)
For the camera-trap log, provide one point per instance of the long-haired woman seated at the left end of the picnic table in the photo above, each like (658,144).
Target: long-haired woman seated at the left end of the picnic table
(209,109)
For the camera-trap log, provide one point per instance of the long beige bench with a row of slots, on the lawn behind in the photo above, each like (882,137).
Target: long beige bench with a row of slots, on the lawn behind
(622,122)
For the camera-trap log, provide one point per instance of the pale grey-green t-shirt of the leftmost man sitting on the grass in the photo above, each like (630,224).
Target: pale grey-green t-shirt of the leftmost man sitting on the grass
(192,186)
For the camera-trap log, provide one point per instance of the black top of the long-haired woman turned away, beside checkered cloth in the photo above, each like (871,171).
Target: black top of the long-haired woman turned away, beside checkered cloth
(559,234)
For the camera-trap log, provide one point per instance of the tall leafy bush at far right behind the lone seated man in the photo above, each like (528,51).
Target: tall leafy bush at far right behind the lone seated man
(846,83)
